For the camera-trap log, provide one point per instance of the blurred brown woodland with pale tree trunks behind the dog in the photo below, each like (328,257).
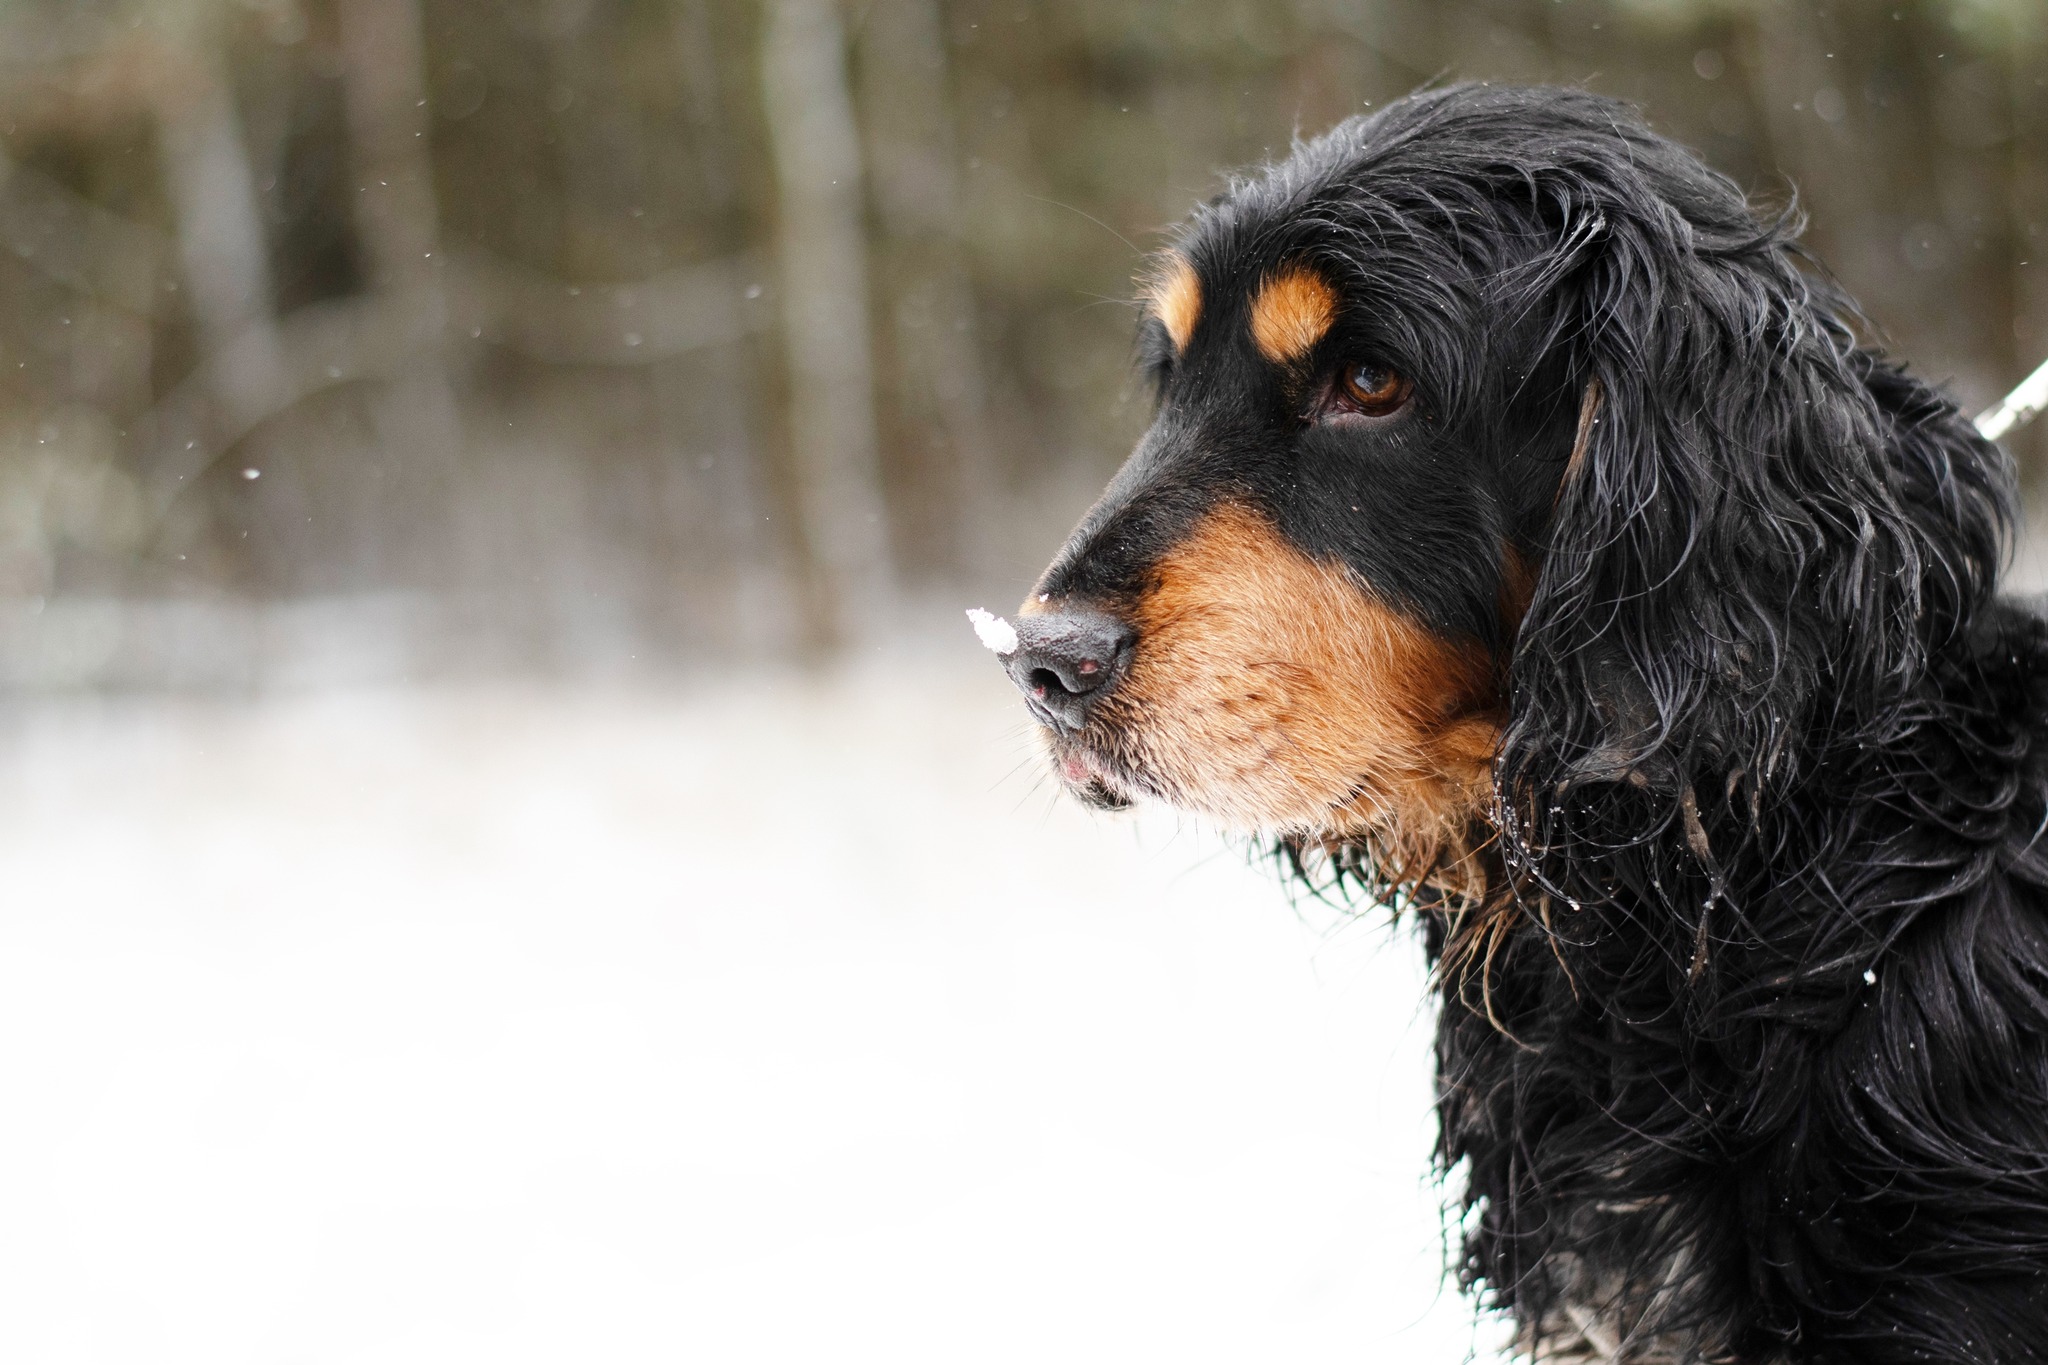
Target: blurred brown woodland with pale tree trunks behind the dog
(400,339)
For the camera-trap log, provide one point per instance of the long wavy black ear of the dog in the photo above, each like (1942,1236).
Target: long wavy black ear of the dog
(1758,535)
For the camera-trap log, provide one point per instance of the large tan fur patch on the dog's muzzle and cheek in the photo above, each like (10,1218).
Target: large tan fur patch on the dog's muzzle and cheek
(1273,693)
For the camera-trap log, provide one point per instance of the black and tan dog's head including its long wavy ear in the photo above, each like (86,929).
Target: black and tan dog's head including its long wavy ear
(1502,457)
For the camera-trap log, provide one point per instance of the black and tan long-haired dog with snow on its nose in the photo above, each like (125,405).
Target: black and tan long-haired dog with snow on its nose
(1527,539)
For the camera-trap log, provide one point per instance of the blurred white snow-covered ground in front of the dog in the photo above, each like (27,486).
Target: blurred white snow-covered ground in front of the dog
(767,1018)
